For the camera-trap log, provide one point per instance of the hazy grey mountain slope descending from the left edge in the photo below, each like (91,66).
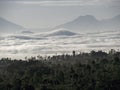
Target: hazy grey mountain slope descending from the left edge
(7,26)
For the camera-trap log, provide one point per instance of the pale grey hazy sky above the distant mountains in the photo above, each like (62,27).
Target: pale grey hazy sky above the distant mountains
(49,13)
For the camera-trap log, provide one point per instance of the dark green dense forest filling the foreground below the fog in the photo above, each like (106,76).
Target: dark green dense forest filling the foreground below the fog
(85,71)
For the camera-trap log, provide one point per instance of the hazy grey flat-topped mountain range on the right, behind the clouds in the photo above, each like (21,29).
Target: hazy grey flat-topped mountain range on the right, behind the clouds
(89,23)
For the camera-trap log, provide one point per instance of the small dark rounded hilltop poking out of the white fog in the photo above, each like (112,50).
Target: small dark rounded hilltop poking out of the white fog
(60,32)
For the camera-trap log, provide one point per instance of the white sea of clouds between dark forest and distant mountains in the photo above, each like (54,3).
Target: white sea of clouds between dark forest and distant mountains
(19,45)
